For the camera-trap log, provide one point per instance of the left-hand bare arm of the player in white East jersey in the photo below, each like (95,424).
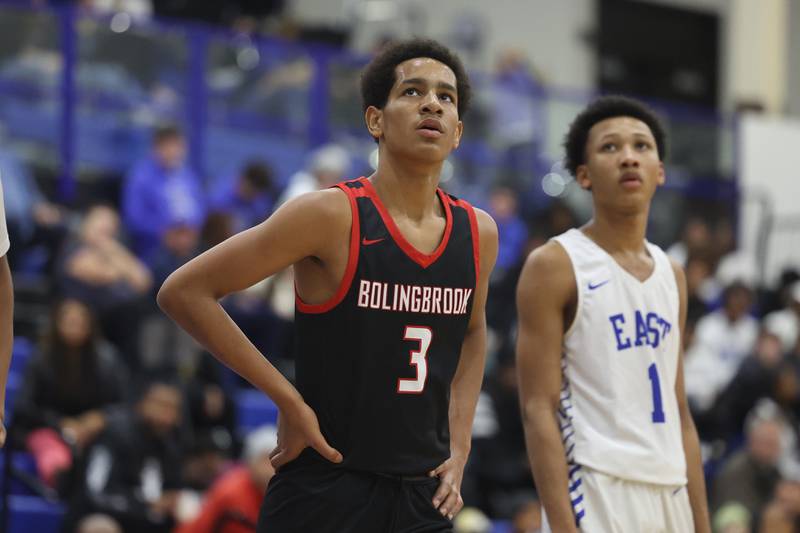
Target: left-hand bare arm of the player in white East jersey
(546,292)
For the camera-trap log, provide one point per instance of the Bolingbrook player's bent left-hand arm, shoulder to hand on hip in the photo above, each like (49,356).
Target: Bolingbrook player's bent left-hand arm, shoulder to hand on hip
(312,232)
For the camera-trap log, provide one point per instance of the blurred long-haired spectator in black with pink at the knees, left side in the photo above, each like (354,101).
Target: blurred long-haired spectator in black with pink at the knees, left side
(67,390)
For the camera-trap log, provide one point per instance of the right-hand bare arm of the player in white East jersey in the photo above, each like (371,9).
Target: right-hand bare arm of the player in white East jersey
(691,446)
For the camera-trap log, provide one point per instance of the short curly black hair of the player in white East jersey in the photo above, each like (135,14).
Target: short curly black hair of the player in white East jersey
(601,109)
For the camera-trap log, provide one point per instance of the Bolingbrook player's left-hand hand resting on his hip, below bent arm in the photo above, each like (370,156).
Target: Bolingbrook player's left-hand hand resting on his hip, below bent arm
(297,430)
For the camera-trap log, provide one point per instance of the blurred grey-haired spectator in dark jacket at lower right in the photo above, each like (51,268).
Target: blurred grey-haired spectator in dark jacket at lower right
(750,476)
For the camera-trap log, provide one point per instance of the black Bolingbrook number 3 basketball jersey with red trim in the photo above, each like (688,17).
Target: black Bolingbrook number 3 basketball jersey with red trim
(377,360)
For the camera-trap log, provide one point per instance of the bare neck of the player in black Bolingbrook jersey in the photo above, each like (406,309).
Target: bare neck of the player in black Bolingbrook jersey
(407,187)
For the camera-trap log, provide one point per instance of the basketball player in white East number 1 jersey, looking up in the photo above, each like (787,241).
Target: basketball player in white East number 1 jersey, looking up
(601,313)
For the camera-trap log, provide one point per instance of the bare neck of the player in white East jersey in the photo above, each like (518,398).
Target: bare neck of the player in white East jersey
(618,233)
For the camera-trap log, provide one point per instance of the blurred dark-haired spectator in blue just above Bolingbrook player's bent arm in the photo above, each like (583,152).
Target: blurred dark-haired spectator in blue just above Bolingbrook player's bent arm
(248,199)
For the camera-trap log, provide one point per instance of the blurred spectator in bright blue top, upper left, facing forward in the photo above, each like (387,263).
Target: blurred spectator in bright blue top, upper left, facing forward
(160,191)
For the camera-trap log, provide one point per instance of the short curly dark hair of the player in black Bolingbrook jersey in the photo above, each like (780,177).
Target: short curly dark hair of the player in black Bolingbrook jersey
(378,76)
